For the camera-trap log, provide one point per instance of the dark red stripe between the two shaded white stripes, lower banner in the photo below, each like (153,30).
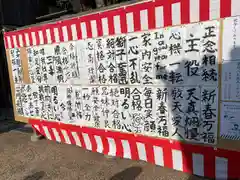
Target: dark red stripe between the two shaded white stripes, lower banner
(209,164)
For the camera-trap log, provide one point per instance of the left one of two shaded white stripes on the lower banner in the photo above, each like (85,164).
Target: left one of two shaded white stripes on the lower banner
(198,164)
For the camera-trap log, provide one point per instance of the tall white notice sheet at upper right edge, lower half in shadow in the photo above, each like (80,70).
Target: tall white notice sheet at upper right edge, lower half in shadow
(231,59)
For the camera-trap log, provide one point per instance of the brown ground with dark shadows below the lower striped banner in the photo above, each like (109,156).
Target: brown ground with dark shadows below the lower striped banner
(21,159)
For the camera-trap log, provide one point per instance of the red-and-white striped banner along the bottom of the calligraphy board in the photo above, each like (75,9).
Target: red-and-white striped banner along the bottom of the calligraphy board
(194,159)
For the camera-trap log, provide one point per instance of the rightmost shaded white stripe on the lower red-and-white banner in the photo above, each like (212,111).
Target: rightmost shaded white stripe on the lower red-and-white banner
(221,168)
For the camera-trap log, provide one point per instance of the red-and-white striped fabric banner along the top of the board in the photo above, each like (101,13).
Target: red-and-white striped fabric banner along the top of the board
(132,18)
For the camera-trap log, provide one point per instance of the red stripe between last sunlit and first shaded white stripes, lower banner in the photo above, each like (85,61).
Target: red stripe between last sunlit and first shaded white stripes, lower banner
(187,161)
